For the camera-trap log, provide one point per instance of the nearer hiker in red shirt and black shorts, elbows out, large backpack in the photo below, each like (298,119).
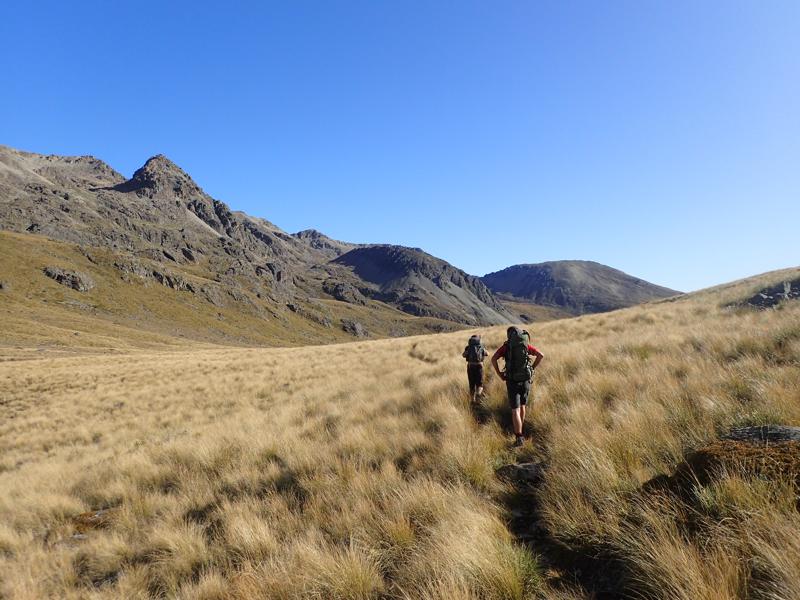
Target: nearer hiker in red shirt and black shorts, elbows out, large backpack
(518,374)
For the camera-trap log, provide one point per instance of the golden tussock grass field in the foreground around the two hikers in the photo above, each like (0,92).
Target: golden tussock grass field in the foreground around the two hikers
(359,471)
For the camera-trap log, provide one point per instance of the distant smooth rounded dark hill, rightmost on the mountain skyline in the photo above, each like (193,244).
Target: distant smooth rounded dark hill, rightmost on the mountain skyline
(576,286)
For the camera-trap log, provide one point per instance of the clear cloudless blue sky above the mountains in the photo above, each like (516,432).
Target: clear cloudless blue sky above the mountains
(661,138)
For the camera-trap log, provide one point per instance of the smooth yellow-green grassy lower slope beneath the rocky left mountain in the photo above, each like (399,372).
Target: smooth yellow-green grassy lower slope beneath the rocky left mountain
(42,316)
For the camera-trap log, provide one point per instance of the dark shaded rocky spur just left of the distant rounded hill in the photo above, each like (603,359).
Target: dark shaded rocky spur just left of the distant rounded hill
(423,285)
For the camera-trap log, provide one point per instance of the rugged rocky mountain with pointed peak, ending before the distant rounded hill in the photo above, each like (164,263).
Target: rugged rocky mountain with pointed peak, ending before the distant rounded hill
(160,227)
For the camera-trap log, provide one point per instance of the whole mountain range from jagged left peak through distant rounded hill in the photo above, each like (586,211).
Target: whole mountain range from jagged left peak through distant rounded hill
(160,228)
